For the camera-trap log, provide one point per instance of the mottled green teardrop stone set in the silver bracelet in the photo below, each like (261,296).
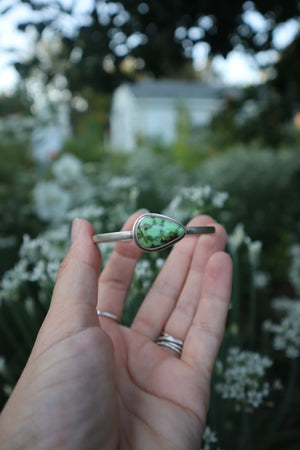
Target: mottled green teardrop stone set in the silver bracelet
(154,232)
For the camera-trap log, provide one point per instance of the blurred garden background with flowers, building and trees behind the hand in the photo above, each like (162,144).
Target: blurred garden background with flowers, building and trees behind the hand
(180,107)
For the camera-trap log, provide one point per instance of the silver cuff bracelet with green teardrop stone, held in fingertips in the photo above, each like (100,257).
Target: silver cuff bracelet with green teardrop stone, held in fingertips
(152,232)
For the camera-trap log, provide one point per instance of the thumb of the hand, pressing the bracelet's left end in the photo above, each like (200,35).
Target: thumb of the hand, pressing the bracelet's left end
(74,299)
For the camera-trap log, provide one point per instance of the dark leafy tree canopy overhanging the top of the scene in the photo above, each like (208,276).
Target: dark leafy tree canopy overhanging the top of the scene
(158,36)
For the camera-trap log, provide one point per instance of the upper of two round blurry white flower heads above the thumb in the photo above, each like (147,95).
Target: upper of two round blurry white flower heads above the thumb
(67,170)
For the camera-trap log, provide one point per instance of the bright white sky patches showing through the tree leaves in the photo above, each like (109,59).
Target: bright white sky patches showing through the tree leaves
(237,69)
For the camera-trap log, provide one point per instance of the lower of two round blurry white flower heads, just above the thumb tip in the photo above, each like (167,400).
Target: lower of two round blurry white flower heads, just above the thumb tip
(51,202)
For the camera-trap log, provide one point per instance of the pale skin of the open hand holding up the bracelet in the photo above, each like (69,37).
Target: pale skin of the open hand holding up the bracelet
(91,383)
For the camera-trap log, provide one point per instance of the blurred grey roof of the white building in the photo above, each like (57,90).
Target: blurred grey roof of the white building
(175,89)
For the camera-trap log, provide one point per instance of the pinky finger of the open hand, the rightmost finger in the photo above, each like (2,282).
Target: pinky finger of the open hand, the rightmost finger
(206,332)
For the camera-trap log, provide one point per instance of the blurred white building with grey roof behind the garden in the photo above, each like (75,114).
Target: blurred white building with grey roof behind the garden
(149,108)
